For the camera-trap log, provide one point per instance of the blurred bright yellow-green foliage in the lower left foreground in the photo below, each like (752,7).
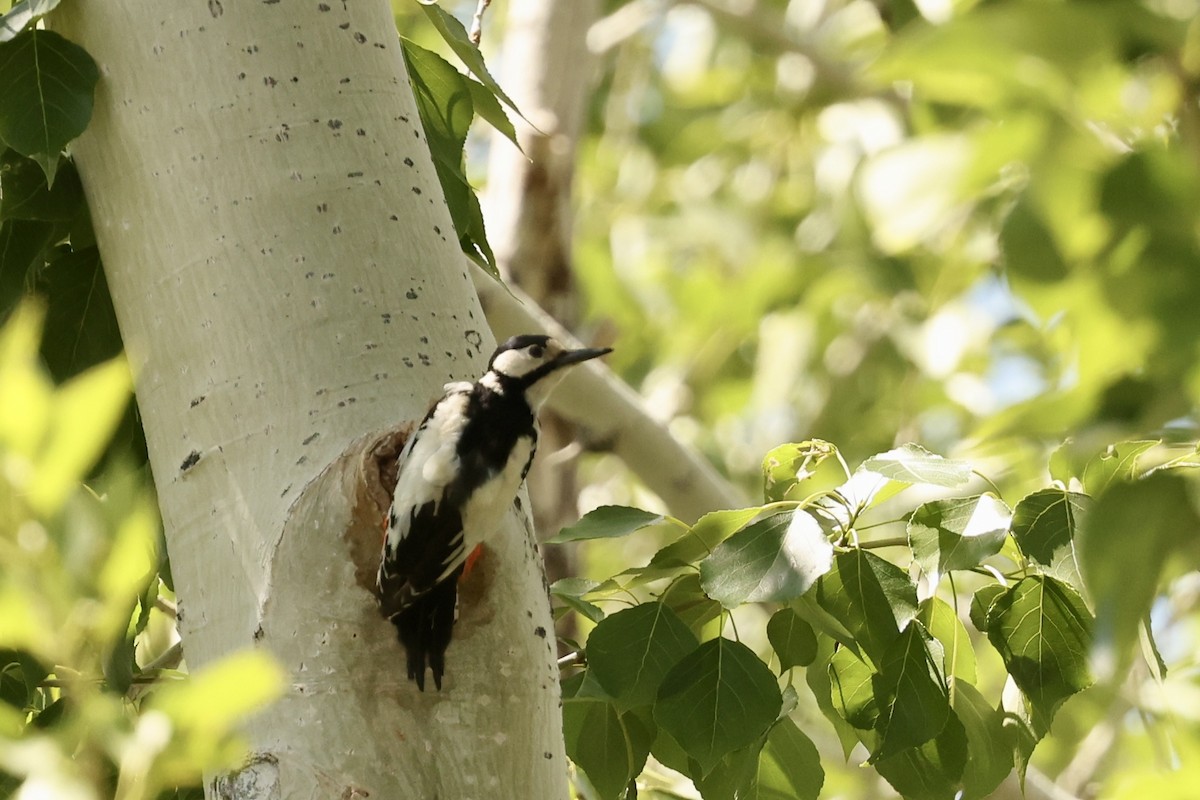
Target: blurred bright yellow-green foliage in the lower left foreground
(92,700)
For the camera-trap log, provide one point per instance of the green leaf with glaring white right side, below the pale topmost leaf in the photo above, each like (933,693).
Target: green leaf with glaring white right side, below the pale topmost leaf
(957,534)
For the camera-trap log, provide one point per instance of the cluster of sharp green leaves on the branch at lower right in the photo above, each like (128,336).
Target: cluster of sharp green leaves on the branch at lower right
(880,641)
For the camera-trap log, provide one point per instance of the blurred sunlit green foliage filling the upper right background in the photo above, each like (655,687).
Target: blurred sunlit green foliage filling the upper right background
(970,225)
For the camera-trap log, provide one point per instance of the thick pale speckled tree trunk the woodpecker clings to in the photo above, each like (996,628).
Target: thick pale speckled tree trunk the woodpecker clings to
(289,288)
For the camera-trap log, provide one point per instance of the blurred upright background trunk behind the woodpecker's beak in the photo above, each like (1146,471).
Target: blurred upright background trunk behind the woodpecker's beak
(548,73)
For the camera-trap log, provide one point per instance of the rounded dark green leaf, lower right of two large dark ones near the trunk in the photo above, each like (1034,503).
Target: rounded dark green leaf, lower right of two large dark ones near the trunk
(717,700)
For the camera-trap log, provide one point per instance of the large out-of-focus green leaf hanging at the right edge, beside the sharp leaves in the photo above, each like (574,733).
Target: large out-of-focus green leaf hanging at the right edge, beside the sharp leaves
(1124,546)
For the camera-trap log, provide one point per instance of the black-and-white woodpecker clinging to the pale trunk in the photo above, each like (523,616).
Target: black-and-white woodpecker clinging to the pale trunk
(459,476)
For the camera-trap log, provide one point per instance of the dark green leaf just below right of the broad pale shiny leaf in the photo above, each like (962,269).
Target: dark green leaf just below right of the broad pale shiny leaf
(871,597)
